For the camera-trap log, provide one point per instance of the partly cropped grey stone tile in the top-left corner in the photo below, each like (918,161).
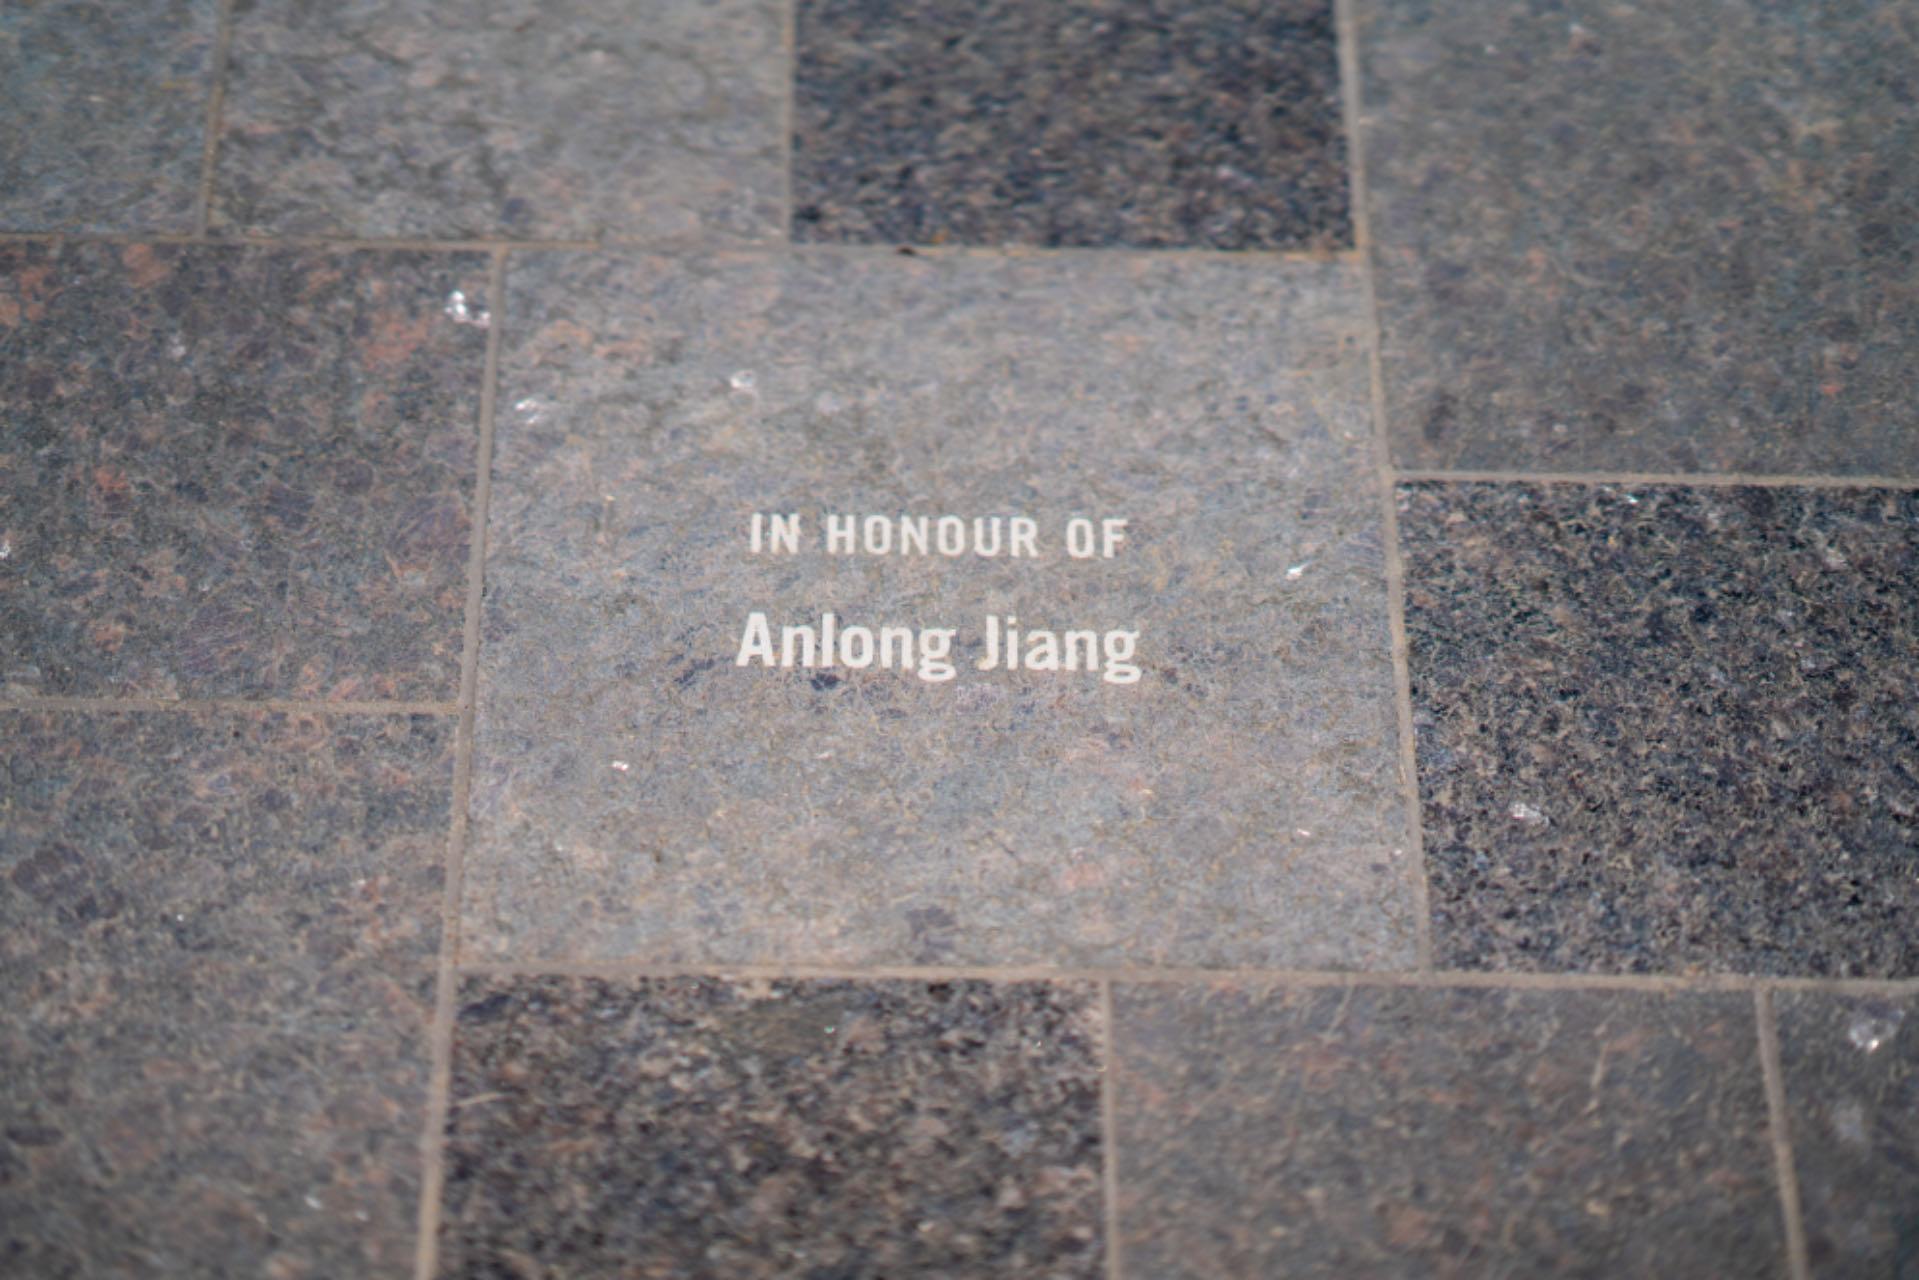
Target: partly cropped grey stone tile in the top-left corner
(105,114)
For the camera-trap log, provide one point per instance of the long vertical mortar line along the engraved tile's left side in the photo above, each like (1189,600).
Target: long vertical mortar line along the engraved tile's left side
(446,984)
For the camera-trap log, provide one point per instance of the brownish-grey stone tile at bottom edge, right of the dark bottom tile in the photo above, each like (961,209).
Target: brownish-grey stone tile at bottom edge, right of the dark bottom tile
(1442,1135)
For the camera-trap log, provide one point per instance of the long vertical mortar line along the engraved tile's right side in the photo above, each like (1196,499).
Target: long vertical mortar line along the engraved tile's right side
(1383,460)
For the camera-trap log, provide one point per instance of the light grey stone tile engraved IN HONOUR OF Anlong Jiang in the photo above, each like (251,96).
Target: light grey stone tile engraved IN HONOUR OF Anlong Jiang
(640,795)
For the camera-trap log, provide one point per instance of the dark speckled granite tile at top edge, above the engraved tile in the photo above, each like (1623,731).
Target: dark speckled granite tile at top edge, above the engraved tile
(1147,124)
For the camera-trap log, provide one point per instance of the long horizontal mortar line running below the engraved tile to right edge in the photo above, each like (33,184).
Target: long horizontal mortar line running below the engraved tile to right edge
(1701,984)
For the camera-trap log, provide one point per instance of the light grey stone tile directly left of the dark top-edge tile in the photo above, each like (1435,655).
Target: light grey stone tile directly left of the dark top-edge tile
(550,120)
